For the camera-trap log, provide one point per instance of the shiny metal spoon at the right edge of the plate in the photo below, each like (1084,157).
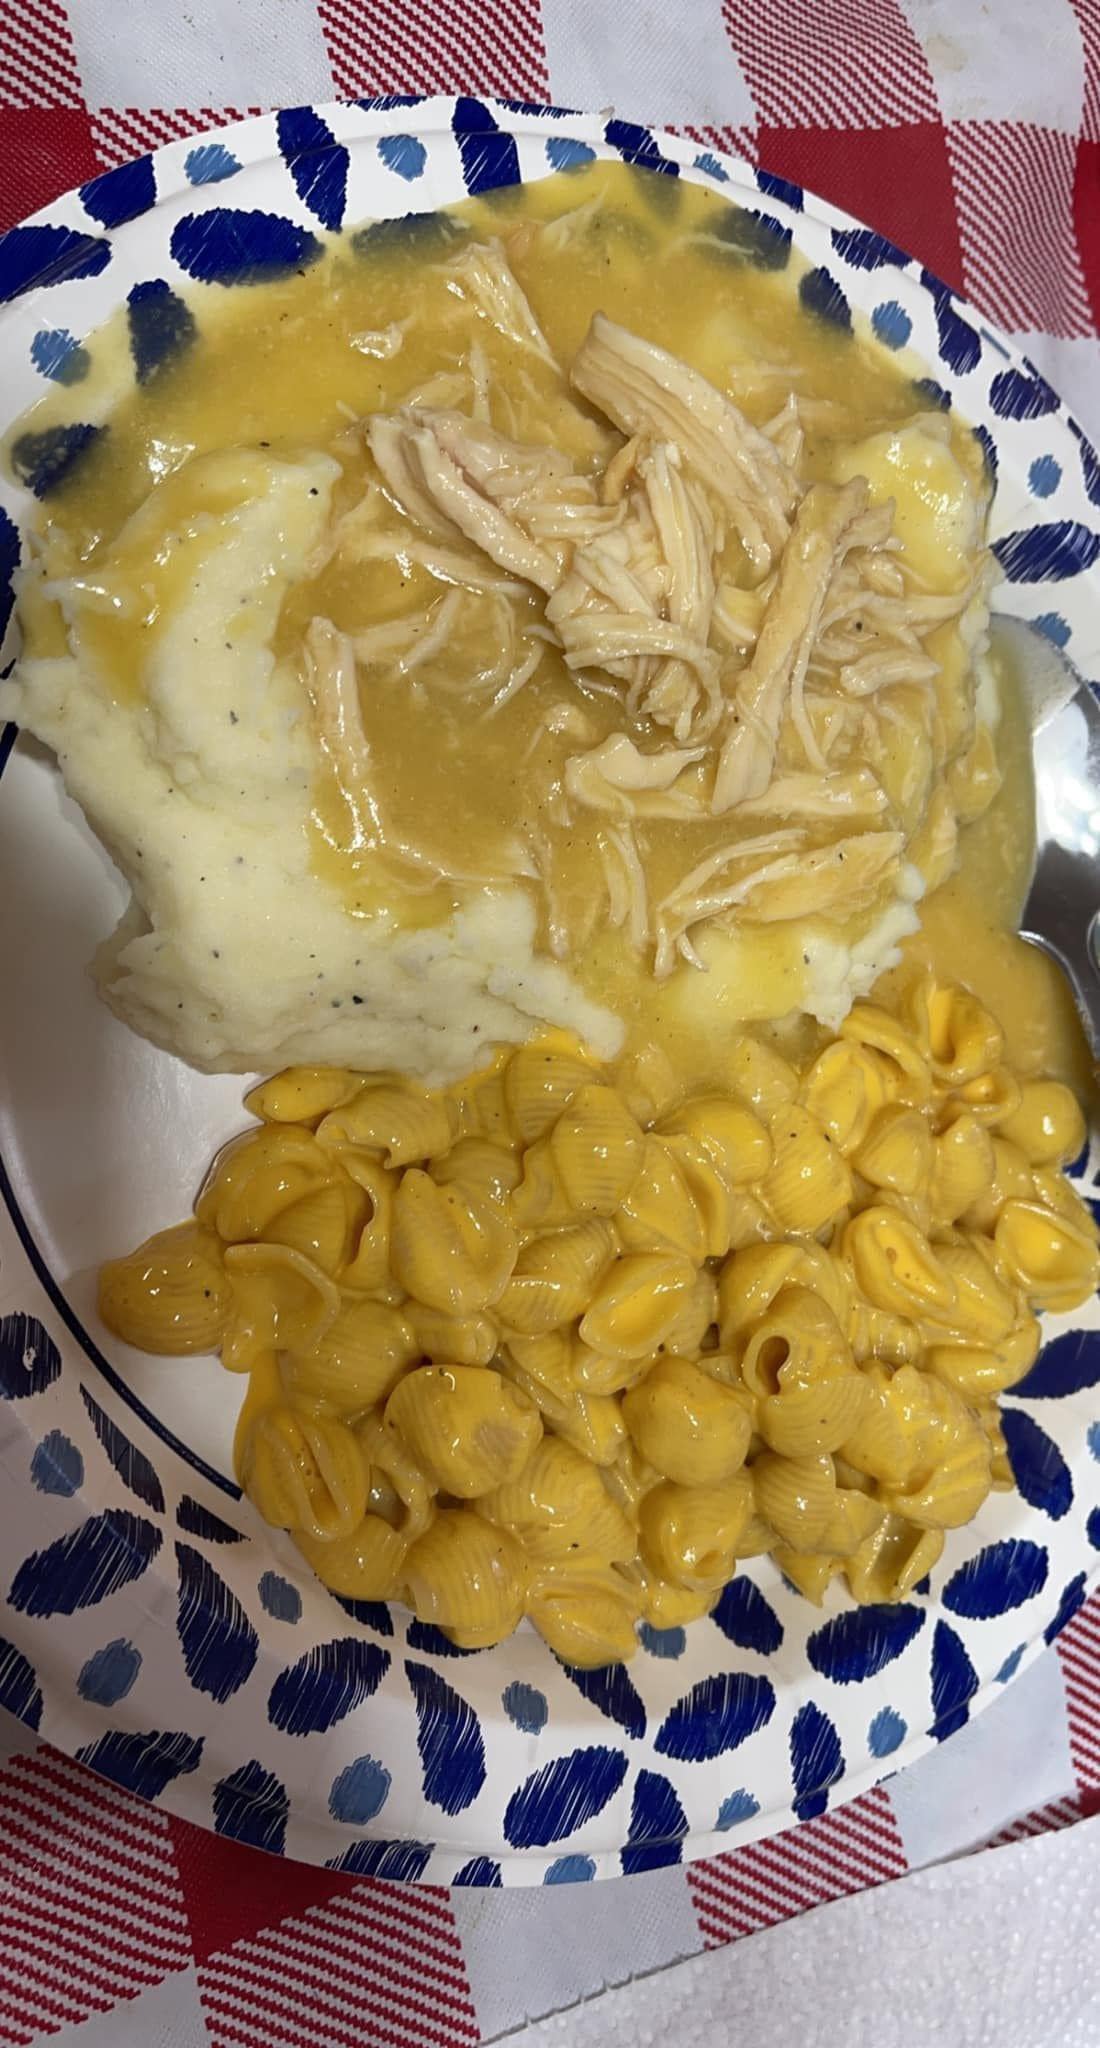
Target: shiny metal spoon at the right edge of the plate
(1062,910)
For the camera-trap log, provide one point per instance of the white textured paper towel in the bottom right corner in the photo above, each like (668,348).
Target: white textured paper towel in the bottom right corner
(997,1951)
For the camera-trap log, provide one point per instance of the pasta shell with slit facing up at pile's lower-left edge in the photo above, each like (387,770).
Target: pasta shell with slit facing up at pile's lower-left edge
(304,1474)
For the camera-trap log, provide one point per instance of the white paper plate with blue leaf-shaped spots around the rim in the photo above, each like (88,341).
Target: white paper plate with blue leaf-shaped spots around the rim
(149,1621)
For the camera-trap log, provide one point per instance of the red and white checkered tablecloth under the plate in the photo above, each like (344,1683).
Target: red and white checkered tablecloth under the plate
(968,132)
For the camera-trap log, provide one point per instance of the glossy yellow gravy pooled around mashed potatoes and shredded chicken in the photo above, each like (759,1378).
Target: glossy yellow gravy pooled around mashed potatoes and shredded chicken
(294,366)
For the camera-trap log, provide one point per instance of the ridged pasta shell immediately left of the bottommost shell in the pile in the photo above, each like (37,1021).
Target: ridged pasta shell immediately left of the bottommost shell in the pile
(468,1578)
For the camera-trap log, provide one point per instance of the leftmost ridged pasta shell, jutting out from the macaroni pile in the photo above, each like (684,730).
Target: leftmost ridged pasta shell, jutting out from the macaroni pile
(171,1295)
